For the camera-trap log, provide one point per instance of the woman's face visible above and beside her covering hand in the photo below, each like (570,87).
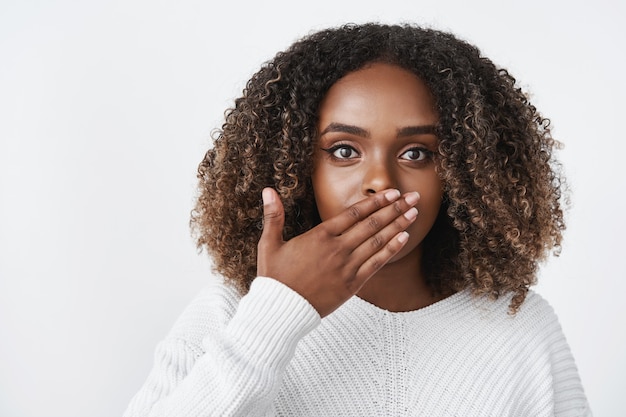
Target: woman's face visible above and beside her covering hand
(377,131)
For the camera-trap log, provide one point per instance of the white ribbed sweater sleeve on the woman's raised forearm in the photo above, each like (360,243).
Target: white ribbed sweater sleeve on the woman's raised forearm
(238,368)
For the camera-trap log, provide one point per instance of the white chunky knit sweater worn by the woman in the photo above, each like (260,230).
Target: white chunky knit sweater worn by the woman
(269,354)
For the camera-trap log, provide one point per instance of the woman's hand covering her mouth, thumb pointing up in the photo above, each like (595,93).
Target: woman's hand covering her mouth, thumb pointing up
(330,263)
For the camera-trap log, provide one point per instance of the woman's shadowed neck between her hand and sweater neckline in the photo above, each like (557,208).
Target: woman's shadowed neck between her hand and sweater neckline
(400,285)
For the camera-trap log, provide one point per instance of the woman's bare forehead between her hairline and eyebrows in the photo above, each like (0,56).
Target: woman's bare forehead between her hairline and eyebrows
(379,92)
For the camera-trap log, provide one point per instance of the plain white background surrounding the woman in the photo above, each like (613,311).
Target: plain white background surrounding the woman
(106,108)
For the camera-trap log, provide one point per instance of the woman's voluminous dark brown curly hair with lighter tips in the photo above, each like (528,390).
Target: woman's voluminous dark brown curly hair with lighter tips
(502,211)
